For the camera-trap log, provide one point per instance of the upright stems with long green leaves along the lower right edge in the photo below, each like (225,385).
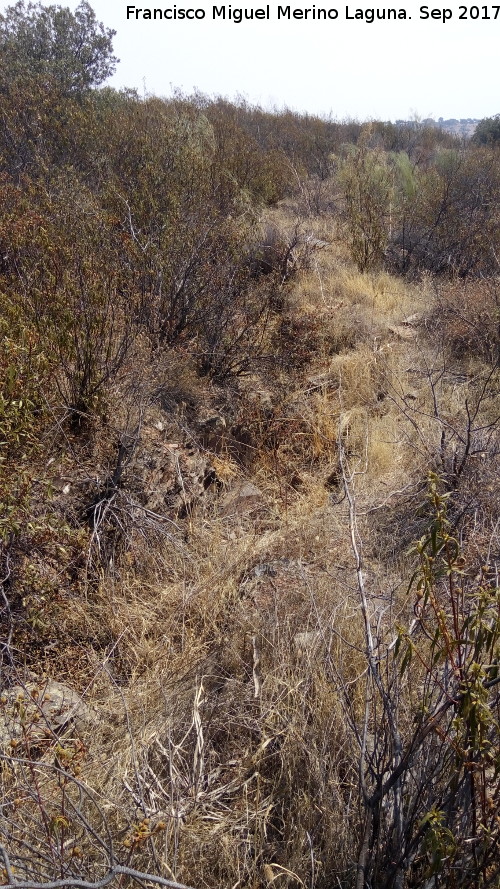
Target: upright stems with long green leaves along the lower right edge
(460,653)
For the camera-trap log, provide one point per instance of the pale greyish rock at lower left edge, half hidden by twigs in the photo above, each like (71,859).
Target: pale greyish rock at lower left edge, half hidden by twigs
(41,710)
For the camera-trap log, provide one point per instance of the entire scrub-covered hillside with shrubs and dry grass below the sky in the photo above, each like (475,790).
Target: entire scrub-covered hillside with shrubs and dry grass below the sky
(249,525)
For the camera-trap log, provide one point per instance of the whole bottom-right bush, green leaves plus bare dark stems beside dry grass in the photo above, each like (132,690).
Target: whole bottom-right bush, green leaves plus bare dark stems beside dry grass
(430,761)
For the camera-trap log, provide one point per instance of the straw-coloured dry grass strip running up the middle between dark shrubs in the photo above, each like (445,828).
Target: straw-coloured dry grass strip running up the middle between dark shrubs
(211,652)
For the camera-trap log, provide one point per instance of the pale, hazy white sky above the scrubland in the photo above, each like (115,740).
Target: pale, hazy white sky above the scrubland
(349,68)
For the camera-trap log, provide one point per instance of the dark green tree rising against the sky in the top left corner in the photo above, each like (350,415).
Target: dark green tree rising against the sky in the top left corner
(72,49)
